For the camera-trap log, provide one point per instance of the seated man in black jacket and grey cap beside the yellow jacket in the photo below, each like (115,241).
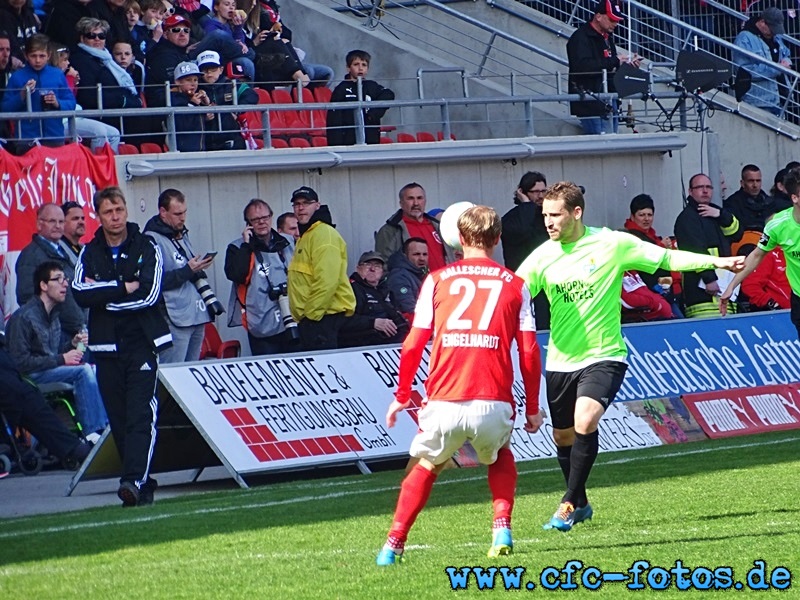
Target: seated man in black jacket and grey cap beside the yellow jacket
(376,320)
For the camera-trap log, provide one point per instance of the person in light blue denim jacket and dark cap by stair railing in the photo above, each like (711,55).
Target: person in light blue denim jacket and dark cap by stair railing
(762,36)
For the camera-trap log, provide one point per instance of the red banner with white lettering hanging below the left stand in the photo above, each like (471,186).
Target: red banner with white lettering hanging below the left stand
(44,175)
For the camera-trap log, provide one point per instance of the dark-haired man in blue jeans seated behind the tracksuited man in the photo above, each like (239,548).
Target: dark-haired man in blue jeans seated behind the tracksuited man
(41,352)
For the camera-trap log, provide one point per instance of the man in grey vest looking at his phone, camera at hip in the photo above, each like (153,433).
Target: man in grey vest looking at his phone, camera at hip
(187,312)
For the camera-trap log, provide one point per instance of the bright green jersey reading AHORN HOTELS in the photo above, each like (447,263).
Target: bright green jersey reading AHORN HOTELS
(583,281)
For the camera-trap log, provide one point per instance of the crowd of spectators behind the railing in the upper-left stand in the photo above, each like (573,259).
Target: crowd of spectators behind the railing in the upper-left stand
(130,54)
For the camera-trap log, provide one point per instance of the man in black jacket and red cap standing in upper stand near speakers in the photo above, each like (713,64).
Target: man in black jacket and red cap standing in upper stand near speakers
(590,51)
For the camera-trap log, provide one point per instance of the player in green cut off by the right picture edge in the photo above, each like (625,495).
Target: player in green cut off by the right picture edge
(782,230)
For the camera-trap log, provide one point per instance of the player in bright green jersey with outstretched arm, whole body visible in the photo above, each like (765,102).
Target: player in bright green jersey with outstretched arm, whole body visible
(580,269)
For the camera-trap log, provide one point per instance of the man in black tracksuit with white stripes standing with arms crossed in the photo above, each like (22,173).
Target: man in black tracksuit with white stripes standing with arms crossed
(118,278)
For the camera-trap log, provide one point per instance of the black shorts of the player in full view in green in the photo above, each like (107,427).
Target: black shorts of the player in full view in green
(600,381)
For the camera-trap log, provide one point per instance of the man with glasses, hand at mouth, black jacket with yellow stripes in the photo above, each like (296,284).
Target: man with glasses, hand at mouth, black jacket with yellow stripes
(704,228)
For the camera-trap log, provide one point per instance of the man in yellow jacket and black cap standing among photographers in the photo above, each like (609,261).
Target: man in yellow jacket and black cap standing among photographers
(320,294)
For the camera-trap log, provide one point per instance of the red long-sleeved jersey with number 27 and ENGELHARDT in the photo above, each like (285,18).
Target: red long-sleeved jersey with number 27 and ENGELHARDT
(475,309)
